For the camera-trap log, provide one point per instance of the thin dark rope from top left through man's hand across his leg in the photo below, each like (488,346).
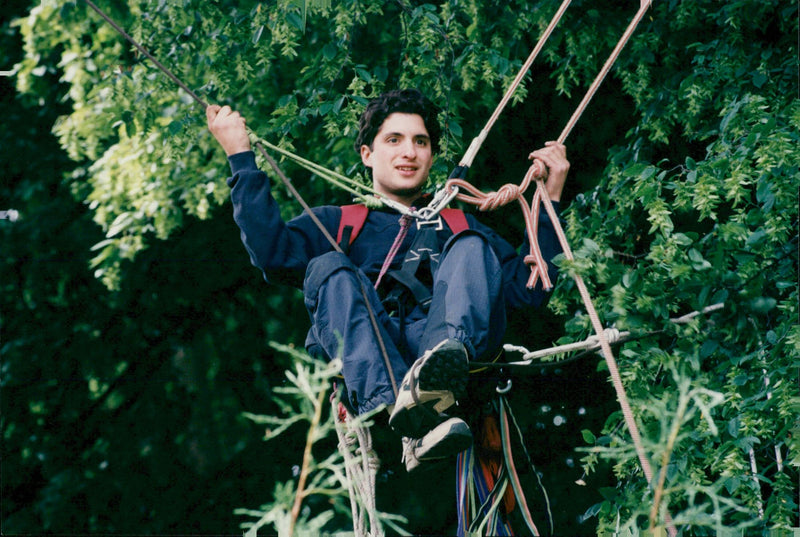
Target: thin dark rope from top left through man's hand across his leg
(285,180)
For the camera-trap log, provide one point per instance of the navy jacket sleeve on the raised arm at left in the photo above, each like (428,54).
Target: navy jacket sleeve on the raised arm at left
(282,250)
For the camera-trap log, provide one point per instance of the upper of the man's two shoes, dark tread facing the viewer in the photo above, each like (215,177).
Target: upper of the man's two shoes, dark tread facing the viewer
(432,385)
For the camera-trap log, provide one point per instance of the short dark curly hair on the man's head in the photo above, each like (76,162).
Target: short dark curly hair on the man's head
(407,101)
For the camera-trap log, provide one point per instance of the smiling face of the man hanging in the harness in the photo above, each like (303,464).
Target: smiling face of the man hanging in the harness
(400,157)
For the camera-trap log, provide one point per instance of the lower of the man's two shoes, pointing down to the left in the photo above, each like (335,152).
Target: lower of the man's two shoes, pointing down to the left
(444,441)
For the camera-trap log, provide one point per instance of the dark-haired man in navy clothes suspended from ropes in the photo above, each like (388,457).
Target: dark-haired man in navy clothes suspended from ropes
(470,277)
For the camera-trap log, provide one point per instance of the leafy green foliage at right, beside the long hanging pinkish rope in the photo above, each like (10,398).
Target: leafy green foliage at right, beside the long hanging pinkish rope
(721,230)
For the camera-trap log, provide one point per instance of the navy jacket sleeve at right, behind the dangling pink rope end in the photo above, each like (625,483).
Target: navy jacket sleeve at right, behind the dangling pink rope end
(516,273)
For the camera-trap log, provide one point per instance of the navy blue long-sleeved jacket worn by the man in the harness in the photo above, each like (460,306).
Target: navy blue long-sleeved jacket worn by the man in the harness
(282,250)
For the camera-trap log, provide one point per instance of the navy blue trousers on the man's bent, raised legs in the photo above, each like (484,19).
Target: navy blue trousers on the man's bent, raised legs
(467,304)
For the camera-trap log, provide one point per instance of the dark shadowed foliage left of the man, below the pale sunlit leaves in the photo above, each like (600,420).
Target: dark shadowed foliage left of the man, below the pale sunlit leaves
(116,405)
